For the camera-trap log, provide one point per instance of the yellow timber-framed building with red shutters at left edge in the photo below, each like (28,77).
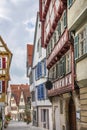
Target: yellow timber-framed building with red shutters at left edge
(5,61)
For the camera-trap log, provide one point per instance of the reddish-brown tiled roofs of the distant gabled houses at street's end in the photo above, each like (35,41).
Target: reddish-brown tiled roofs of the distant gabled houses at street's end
(16,90)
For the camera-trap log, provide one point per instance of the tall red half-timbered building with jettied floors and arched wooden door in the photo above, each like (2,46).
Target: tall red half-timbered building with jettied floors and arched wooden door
(59,43)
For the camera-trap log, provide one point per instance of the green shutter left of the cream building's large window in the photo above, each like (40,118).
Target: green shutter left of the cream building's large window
(76,47)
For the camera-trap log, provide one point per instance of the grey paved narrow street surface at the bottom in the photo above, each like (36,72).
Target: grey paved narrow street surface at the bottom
(15,125)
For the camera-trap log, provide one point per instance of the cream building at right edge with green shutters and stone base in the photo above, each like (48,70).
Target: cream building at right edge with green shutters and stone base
(77,24)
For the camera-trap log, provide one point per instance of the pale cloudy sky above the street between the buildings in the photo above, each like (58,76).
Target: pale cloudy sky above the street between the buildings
(17,25)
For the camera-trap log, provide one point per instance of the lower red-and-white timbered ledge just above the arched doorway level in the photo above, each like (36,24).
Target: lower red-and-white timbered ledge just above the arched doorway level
(61,86)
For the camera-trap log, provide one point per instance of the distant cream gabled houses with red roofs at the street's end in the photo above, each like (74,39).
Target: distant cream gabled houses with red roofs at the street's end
(20,99)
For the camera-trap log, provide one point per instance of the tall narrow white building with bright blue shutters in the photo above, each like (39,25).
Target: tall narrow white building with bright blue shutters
(42,110)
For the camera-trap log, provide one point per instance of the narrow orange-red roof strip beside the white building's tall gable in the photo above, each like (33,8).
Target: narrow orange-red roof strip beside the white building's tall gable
(29,54)
